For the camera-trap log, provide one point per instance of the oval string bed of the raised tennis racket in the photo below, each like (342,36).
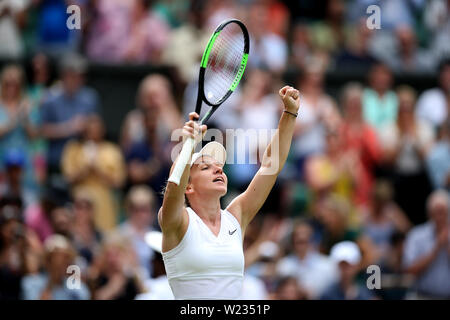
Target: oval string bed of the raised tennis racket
(224,63)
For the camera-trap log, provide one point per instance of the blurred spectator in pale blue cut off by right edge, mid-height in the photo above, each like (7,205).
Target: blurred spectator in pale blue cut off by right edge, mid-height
(438,159)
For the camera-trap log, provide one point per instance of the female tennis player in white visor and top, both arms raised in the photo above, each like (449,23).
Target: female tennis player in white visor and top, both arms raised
(203,244)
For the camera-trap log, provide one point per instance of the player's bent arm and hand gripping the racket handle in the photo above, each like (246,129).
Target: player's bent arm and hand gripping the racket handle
(172,216)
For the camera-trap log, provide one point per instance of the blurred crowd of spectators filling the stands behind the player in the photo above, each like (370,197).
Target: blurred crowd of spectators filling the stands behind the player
(366,183)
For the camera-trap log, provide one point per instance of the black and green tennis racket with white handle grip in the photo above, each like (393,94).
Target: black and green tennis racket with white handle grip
(221,69)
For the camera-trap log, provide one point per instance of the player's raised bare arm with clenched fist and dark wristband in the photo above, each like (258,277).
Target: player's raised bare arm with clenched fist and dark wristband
(246,205)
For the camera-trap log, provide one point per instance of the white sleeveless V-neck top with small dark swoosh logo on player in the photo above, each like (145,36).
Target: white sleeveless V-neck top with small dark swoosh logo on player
(203,266)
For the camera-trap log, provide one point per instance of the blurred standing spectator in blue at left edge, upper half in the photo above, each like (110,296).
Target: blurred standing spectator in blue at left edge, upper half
(17,127)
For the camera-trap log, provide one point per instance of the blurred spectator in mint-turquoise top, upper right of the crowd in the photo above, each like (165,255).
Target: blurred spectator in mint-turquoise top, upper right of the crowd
(380,104)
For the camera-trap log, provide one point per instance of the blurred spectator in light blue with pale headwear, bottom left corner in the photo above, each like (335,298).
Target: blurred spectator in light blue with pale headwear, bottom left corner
(52,283)
